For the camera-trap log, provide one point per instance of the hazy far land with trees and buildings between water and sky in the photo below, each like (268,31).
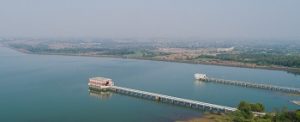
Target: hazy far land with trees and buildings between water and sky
(251,54)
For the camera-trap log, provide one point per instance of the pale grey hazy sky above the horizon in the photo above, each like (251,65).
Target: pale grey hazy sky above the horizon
(203,19)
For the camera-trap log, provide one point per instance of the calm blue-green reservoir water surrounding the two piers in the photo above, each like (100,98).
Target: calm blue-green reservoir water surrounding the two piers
(54,88)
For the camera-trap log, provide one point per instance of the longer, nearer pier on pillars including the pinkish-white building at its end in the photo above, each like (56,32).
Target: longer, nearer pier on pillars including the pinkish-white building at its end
(106,84)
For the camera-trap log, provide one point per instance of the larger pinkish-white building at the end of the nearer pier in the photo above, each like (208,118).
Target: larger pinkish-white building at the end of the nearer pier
(100,82)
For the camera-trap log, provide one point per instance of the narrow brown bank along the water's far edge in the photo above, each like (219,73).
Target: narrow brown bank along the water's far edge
(295,71)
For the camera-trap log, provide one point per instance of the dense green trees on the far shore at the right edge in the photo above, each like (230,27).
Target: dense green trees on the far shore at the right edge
(275,54)
